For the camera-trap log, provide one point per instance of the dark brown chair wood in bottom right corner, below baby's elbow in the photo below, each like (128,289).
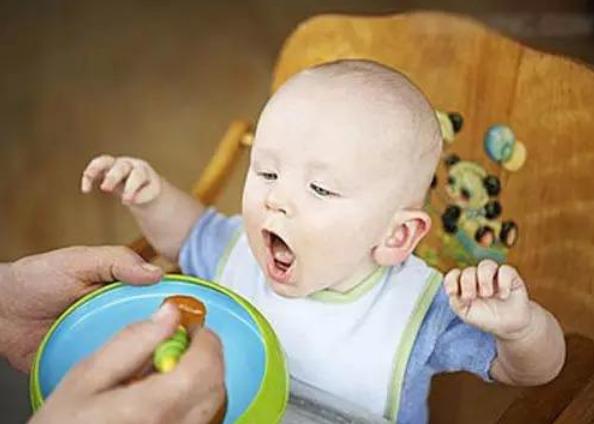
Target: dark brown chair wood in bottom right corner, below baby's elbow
(566,397)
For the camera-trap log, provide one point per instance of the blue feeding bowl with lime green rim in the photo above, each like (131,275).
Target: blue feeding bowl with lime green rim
(251,351)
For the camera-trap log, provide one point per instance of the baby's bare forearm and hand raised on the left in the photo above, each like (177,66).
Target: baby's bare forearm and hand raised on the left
(164,213)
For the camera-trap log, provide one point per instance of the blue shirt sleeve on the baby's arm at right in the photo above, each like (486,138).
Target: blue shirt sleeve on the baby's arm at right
(459,346)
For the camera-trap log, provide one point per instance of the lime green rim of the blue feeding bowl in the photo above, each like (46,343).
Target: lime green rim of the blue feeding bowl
(269,403)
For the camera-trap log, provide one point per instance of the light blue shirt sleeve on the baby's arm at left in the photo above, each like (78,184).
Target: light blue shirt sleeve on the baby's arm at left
(206,243)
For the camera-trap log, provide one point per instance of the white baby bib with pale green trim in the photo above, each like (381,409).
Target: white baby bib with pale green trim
(355,349)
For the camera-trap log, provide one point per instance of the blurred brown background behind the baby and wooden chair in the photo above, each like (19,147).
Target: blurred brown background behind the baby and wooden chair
(161,81)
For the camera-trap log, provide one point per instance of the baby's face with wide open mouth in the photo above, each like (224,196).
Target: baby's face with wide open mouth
(320,191)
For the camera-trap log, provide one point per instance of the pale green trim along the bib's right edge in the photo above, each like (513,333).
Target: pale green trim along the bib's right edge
(407,342)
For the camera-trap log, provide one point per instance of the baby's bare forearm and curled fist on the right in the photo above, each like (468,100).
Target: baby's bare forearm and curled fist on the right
(530,343)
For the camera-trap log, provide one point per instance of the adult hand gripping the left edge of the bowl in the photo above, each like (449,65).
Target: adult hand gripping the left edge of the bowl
(36,289)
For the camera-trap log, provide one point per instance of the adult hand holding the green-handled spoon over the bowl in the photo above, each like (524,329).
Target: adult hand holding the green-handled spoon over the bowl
(93,391)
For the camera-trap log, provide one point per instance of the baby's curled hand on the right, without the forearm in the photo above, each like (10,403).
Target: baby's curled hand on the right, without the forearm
(490,297)
